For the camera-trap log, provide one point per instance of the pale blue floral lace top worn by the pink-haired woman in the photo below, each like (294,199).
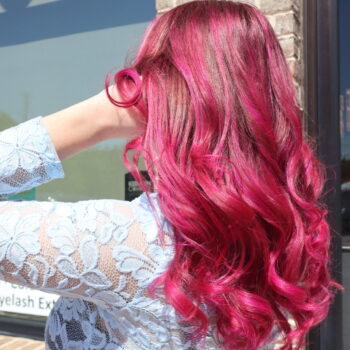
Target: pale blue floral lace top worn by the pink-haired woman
(99,255)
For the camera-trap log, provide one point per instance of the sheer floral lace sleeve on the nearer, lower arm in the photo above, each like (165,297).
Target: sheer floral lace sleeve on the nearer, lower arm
(104,251)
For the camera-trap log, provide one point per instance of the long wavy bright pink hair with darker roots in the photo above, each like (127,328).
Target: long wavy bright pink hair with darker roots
(224,145)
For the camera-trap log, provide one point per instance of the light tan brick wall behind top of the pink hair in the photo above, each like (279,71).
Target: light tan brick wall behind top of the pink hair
(286,19)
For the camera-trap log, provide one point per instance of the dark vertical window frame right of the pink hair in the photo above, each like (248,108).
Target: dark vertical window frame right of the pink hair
(322,121)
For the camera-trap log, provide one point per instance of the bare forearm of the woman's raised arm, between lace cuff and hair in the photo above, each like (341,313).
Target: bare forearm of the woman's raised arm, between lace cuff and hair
(89,122)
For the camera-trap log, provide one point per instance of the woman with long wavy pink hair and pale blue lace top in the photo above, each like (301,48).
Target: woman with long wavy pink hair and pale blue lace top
(231,250)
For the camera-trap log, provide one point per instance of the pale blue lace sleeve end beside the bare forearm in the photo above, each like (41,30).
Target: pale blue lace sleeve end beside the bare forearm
(27,157)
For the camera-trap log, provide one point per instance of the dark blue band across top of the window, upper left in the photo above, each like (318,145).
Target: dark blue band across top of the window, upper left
(22,22)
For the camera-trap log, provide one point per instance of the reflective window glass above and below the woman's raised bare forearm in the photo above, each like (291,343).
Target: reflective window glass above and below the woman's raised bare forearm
(57,53)
